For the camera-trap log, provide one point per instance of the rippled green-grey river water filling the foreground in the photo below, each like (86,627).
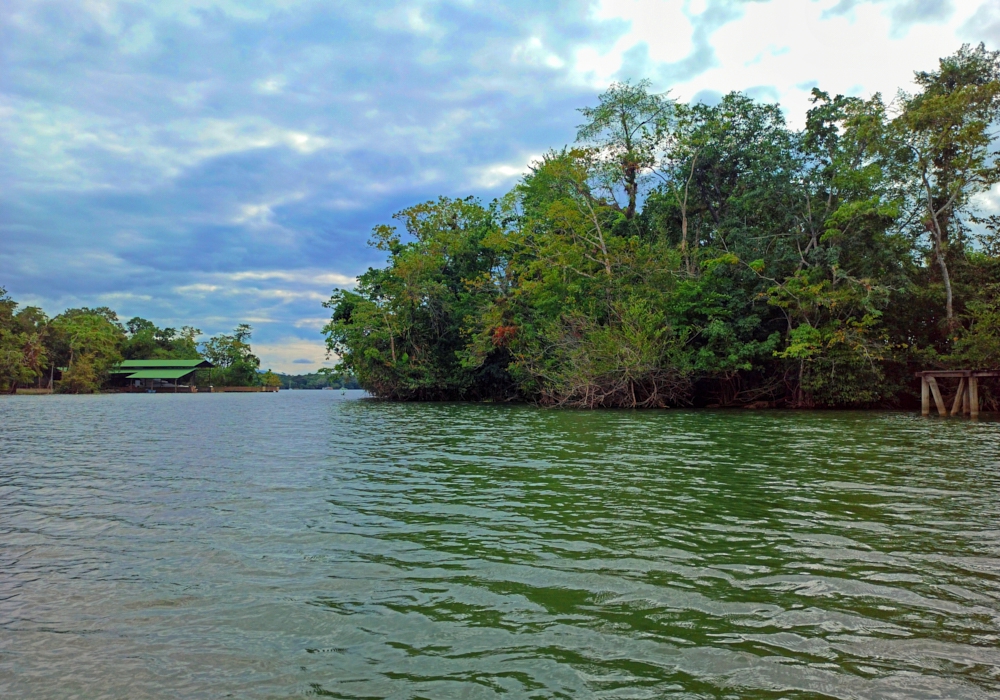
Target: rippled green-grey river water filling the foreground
(309,543)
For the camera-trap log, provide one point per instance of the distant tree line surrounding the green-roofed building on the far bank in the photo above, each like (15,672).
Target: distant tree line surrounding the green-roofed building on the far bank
(75,351)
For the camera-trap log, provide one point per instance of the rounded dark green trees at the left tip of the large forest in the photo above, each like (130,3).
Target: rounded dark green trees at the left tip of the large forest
(402,330)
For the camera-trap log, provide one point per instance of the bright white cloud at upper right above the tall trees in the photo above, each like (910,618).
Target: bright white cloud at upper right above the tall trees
(784,45)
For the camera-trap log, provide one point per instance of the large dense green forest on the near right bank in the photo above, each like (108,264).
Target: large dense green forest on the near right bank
(696,254)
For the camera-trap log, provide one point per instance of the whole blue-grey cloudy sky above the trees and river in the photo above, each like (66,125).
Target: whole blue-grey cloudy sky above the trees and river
(209,162)
